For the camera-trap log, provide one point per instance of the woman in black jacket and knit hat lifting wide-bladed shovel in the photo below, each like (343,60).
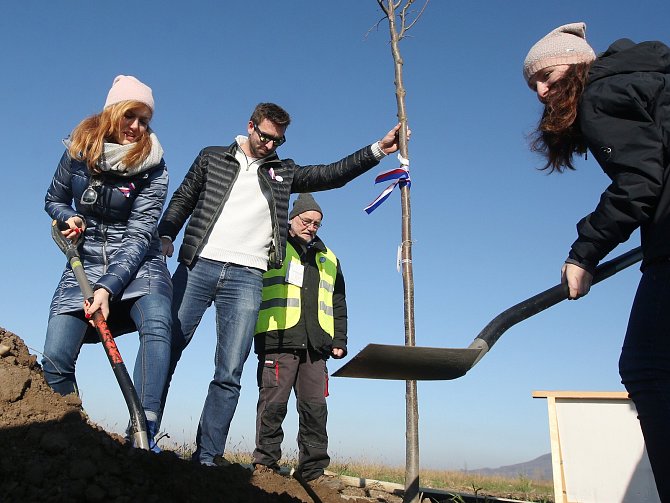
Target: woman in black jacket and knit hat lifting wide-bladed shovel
(617,106)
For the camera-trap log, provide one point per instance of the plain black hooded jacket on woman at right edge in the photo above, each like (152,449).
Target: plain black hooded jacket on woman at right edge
(624,116)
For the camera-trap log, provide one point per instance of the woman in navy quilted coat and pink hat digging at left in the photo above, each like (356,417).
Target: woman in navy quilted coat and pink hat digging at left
(109,188)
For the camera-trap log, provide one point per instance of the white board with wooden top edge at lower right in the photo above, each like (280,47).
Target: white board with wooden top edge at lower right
(597,448)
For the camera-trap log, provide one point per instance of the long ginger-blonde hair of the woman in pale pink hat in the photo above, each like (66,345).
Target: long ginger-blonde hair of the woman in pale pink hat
(89,137)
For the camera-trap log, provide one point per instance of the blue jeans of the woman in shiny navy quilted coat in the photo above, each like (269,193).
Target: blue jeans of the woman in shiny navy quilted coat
(151,315)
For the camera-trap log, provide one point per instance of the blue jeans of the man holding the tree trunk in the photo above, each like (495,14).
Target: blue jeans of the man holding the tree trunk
(236,293)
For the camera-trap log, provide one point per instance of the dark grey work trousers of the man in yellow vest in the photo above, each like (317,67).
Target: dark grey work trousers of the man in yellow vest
(278,373)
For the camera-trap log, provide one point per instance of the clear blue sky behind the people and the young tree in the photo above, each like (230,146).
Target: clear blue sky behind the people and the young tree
(489,230)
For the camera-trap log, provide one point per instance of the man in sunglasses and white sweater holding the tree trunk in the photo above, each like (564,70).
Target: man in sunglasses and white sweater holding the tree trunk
(236,199)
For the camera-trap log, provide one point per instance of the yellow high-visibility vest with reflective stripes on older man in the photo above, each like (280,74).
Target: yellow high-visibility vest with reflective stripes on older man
(280,304)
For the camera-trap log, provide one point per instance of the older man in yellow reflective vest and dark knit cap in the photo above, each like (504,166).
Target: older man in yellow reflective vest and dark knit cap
(302,322)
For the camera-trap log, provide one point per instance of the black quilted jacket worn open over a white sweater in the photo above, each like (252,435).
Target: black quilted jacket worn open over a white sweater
(204,191)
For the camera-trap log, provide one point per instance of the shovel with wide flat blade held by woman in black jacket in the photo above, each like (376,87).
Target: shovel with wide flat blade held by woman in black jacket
(413,363)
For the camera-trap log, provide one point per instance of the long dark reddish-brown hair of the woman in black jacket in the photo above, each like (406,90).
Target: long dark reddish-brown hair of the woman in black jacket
(558,135)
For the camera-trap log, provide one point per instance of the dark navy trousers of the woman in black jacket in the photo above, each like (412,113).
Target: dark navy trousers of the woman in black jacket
(644,367)
